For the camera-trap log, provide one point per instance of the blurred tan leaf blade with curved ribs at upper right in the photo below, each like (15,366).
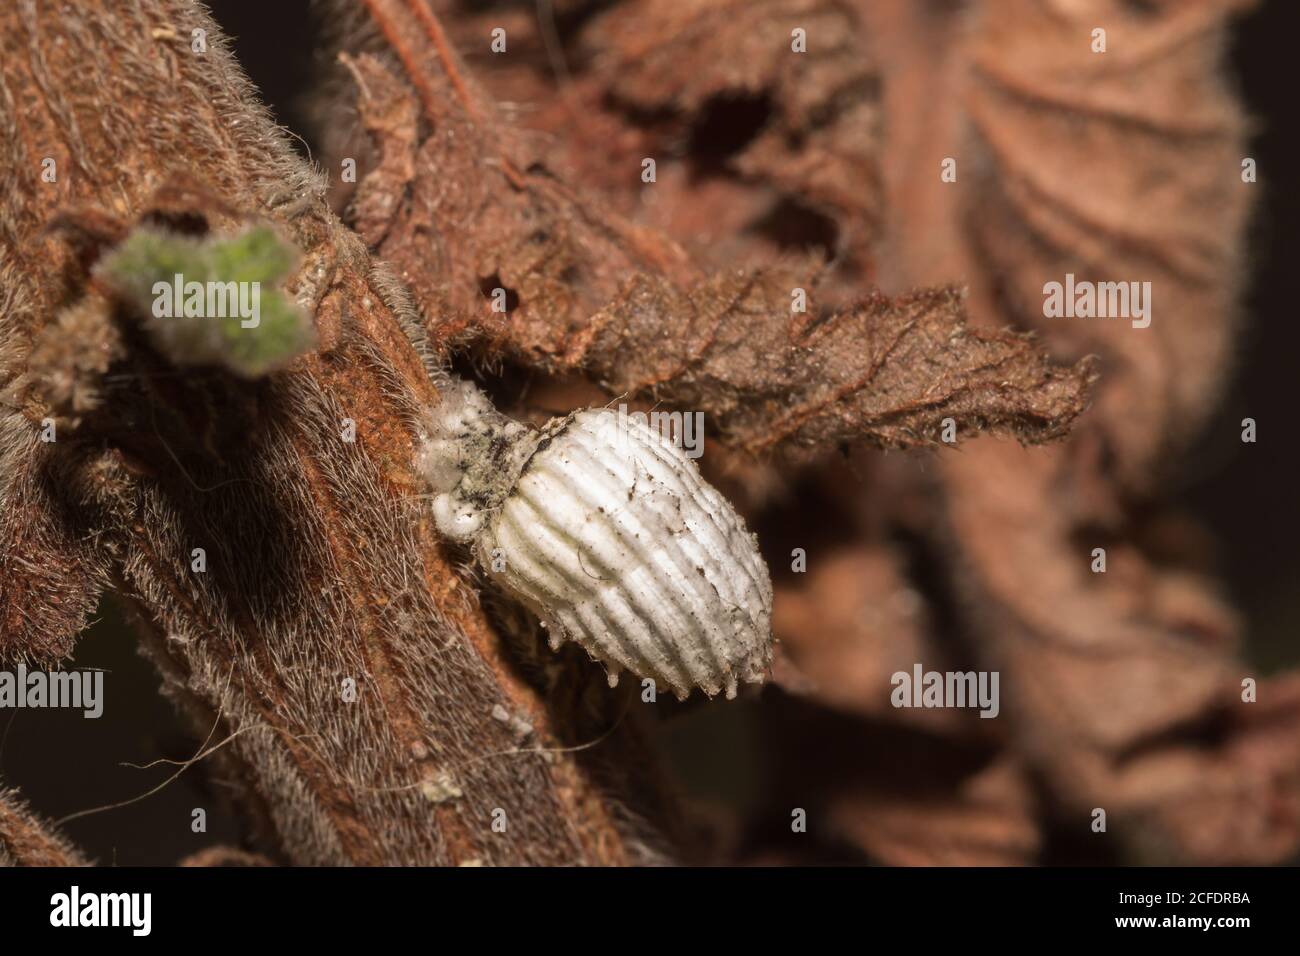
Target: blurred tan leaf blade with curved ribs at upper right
(1104,167)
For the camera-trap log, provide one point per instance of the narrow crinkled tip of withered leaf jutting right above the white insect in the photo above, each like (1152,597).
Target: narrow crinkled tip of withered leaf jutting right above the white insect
(889,371)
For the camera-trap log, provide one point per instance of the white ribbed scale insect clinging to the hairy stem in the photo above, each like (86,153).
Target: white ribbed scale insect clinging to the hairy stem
(609,534)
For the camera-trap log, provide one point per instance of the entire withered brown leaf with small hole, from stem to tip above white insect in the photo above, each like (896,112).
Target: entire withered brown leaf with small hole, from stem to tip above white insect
(630,310)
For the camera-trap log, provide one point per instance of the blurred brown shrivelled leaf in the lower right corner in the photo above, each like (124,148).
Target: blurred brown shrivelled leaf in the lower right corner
(1124,685)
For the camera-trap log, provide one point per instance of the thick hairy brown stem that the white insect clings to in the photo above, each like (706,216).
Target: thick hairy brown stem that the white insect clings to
(322,565)
